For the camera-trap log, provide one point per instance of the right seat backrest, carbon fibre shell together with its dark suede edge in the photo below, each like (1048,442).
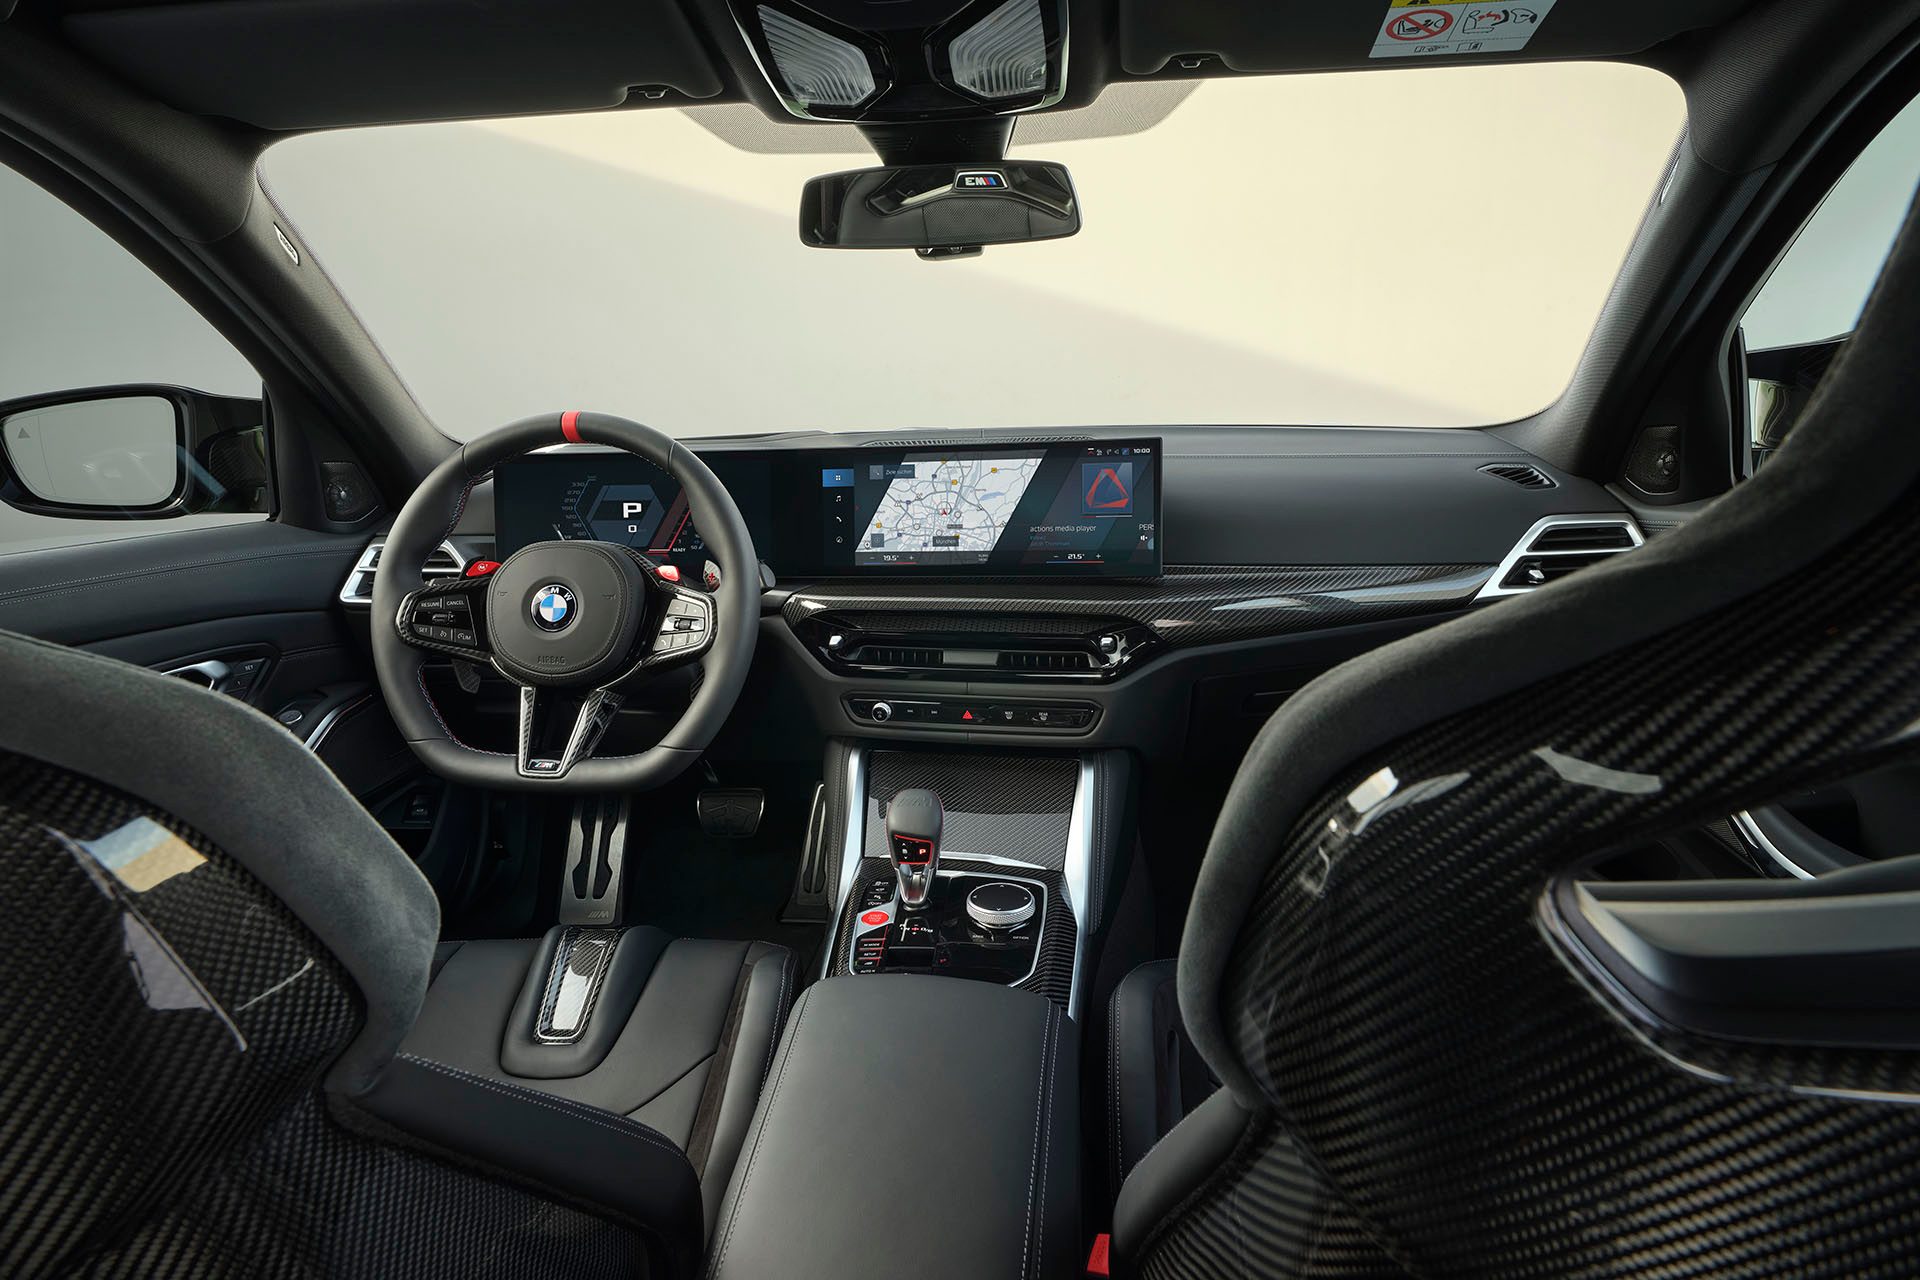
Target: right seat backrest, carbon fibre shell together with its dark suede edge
(1378,972)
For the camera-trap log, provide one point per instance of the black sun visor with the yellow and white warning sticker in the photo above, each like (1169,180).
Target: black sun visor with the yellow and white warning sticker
(1310,36)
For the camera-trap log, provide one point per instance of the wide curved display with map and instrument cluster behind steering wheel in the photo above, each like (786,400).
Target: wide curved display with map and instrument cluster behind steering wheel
(1009,510)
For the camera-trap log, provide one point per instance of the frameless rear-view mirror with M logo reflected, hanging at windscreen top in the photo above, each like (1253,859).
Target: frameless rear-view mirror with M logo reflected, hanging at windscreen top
(940,210)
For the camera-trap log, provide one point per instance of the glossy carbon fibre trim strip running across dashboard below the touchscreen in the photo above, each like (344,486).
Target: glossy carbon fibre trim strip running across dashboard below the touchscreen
(1188,607)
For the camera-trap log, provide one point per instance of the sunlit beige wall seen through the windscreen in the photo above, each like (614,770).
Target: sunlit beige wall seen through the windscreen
(1418,247)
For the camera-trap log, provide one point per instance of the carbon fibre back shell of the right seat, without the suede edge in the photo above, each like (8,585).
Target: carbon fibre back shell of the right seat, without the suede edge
(1474,1095)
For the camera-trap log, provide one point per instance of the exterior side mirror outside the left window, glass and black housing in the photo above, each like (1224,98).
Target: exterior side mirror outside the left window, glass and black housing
(133,454)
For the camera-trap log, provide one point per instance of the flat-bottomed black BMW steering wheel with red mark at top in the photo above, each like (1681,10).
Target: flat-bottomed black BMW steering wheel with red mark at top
(575,625)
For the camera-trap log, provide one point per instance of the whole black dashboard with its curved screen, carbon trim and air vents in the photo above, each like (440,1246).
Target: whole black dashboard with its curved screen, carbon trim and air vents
(1241,563)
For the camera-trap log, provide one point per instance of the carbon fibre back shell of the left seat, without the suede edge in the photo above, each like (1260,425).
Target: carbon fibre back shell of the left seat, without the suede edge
(162,1045)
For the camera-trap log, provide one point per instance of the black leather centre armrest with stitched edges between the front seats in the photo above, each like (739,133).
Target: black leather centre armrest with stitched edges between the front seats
(911,1127)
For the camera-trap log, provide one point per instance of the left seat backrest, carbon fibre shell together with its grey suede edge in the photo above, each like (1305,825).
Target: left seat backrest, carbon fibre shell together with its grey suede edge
(204,947)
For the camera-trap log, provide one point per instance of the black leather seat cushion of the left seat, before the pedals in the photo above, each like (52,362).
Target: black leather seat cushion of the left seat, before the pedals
(681,1037)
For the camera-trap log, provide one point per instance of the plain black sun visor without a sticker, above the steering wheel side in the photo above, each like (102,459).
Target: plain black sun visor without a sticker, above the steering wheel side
(314,64)
